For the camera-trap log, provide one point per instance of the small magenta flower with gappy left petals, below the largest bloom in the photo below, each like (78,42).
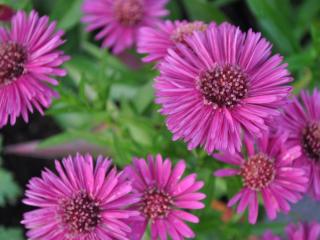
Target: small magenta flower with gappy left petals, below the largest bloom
(267,170)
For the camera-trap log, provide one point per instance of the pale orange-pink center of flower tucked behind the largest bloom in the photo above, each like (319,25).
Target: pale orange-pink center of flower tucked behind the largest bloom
(185,30)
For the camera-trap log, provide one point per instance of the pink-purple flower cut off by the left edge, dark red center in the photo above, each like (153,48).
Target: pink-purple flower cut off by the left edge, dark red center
(29,63)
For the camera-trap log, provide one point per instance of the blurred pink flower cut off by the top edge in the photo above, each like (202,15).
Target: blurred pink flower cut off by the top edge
(119,21)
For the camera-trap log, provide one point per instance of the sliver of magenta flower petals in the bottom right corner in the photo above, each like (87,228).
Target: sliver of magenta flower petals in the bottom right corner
(303,231)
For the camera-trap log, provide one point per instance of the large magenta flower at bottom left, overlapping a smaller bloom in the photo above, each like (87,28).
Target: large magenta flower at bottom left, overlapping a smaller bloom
(82,202)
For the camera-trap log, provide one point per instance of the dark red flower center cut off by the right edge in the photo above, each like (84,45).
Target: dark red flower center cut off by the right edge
(311,140)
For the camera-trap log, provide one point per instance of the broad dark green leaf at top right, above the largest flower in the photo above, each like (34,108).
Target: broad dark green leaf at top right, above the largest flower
(274,16)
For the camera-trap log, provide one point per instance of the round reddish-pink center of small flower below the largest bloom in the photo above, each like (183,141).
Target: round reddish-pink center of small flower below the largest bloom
(258,172)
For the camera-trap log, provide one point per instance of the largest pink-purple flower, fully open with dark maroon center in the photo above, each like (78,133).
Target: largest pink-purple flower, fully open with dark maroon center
(223,85)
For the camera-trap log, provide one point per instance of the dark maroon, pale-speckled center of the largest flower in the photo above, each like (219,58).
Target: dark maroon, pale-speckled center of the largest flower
(222,86)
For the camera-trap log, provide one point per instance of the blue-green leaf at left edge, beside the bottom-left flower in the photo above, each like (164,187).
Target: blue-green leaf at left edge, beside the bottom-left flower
(9,190)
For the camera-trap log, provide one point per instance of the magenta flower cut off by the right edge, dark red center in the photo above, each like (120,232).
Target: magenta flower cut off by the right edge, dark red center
(301,121)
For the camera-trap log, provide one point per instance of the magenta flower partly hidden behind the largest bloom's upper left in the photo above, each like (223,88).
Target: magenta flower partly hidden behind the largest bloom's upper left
(156,41)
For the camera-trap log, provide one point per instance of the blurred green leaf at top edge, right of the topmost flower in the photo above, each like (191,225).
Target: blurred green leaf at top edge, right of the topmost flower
(204,11)
